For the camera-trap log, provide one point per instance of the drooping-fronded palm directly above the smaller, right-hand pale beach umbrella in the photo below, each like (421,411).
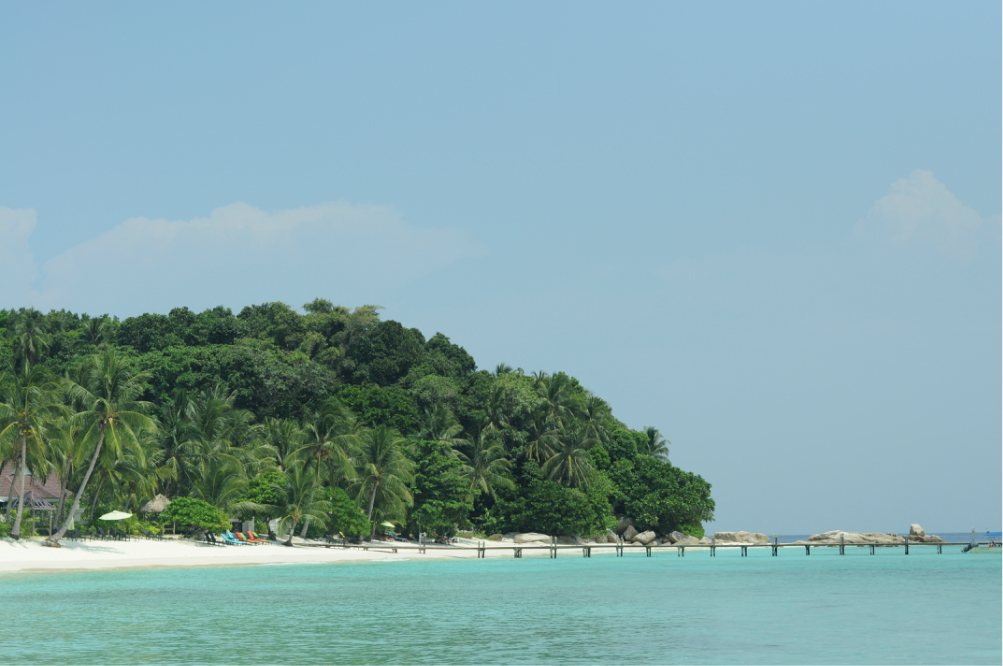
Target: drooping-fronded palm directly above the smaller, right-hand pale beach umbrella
(385,472)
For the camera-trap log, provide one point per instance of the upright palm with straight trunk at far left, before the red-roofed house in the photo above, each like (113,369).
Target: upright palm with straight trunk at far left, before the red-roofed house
(29,400)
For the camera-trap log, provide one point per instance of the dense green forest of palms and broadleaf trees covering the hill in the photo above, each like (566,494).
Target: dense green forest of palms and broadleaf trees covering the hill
(330,420)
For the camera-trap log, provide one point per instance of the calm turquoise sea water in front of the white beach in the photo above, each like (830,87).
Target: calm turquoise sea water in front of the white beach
(884,609)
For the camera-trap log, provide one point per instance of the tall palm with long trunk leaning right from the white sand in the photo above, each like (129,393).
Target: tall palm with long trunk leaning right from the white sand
(113,414)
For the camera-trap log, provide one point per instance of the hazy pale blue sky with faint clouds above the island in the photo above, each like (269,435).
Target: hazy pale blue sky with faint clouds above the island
(770,230)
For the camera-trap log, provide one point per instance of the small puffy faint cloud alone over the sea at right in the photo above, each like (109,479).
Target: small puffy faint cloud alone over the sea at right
(921,212)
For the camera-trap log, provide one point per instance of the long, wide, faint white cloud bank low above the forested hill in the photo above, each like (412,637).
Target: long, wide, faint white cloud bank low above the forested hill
(240,254)
